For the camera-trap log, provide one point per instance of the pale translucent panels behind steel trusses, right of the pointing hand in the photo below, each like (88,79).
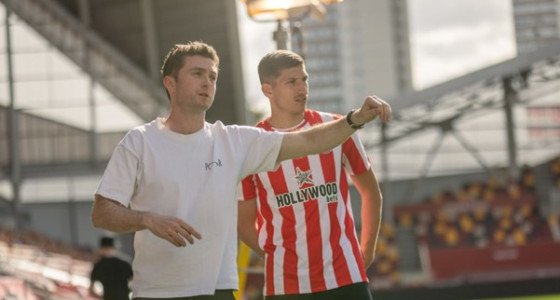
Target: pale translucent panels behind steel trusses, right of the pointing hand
(462,126)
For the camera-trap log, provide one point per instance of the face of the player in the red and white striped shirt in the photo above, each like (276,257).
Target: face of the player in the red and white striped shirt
(288,93)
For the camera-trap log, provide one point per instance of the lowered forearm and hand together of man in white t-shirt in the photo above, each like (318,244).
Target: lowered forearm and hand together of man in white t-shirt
(113,216)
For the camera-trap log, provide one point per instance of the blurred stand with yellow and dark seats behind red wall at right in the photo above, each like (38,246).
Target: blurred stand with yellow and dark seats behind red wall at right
(497,228)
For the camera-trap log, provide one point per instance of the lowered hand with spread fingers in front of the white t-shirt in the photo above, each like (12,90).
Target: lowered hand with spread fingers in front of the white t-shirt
(172,229)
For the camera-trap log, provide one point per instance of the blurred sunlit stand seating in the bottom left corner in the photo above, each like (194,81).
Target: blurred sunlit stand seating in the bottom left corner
(35,267)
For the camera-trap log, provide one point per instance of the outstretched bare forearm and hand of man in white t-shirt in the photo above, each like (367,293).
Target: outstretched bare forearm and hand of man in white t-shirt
(326,136)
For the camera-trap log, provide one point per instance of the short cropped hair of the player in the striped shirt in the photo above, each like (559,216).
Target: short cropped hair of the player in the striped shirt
(272,64)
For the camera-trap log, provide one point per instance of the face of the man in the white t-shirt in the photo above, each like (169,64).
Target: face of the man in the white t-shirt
(195,86)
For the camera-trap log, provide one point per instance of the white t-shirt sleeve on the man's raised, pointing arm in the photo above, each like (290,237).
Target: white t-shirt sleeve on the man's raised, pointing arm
(262,148)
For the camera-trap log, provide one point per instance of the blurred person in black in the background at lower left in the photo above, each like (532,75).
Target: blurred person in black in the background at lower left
(111,271)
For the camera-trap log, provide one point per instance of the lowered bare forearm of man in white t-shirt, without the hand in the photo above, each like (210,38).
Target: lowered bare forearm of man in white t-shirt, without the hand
(113,216)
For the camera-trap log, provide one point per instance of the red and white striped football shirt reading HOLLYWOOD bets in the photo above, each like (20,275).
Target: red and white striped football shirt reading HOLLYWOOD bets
(305,222)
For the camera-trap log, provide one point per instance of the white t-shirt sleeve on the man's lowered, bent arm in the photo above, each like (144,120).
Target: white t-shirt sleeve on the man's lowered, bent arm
(119,180)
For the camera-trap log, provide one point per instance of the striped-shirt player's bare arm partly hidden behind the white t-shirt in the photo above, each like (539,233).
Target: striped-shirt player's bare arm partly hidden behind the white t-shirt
(246,225)
